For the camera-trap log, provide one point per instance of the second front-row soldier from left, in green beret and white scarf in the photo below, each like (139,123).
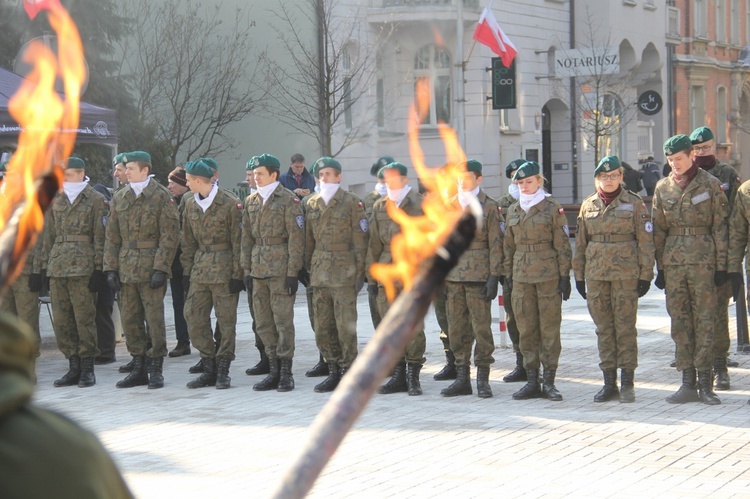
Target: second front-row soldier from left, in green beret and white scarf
(143,233)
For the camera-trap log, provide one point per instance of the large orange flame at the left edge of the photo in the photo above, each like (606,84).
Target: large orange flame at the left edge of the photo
(49,124)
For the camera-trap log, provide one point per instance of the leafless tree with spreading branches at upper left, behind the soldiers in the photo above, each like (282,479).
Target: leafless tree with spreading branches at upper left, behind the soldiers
(192,76)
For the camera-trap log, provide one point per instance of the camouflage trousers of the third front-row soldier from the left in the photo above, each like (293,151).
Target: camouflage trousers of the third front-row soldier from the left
(200,300)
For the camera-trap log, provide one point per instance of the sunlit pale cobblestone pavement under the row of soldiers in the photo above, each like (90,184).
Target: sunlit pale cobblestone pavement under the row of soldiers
(177,442)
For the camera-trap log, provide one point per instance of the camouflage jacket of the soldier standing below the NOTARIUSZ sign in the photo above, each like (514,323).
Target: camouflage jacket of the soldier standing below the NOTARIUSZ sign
(614,242)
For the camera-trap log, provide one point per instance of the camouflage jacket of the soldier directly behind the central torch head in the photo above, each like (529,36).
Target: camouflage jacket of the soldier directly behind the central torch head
(484,257)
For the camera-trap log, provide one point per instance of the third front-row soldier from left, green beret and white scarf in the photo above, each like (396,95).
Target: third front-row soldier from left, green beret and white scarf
(211,264)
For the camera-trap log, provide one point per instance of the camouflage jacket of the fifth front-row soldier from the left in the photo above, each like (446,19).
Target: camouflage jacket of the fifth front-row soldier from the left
(335,240)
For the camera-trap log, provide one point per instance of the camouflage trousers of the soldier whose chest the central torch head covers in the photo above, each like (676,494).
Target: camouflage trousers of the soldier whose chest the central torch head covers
(469,323)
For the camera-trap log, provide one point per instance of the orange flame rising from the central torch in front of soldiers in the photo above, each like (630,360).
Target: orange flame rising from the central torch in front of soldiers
(420,237)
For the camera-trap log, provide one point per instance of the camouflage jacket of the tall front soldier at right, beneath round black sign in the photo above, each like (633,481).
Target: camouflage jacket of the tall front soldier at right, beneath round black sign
(690,226)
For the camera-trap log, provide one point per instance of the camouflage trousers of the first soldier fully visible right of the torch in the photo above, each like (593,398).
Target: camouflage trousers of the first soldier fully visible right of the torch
(538,308)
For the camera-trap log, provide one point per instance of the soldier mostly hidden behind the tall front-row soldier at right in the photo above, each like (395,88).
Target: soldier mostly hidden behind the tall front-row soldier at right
(704,155)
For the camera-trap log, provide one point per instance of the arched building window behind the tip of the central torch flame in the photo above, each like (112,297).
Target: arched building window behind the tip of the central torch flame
(432,71)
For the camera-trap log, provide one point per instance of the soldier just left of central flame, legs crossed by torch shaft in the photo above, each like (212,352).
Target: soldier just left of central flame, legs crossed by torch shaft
(382,230)
